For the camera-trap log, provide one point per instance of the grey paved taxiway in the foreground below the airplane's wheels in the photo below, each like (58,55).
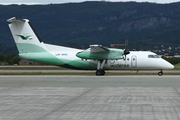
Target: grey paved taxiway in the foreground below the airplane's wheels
(89,97)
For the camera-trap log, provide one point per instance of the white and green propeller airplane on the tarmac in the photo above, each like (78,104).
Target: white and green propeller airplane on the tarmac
(97,57)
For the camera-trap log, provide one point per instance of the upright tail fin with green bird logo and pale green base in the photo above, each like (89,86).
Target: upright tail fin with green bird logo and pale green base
(25,37)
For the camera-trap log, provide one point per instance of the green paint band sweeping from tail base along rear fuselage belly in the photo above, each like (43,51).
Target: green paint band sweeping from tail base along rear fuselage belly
(43,56)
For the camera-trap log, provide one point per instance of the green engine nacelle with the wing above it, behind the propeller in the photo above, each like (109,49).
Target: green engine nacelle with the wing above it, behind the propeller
(98,52)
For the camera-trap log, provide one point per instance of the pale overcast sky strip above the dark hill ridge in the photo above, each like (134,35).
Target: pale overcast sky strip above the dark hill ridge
(6,2)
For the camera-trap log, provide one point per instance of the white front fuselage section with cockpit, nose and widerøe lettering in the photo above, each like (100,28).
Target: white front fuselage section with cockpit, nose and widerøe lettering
(140,60)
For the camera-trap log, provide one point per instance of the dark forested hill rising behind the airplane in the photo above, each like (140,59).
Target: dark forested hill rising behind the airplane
(82,24)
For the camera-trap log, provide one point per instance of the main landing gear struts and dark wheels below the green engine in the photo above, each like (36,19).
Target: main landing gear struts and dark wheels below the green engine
(100,66)
